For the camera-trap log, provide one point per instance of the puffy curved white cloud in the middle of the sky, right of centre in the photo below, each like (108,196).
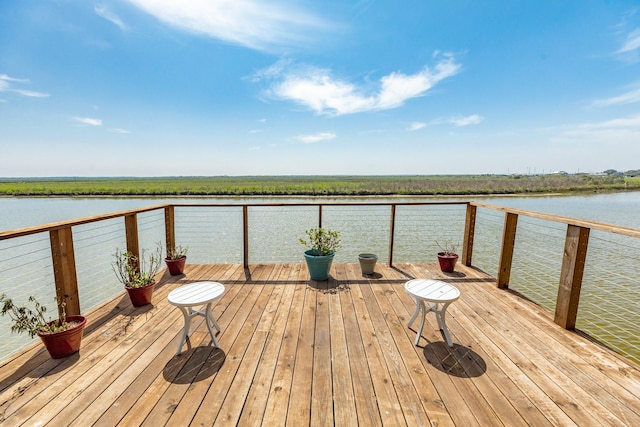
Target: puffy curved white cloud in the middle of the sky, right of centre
(319,91)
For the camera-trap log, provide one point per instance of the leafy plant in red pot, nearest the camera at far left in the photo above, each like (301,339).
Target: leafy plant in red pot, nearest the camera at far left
(61,336)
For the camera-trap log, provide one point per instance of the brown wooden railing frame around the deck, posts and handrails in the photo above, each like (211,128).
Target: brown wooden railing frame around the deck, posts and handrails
(569,283)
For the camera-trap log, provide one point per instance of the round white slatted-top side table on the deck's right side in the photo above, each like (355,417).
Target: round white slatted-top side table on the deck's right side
(440,294)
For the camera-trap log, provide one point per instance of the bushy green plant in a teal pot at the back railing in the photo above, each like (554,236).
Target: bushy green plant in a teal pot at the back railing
(322,244)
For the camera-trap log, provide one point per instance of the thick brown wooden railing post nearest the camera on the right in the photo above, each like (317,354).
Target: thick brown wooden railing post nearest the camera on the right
(573,259)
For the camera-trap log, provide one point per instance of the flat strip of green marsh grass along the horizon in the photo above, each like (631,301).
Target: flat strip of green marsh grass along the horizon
(314,185)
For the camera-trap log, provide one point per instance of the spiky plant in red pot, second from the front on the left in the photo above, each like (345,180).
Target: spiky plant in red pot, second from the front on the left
(138,275)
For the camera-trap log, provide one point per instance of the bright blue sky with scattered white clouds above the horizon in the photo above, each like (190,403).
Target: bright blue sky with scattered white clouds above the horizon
(297,87)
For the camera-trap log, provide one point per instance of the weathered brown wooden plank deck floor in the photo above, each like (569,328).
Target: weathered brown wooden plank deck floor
(295,352)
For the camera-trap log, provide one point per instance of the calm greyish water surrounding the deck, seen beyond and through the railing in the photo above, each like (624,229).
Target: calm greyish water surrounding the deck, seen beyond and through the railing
(94,247)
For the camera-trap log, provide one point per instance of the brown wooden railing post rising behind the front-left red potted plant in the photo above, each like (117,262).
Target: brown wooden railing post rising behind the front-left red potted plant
(64,270)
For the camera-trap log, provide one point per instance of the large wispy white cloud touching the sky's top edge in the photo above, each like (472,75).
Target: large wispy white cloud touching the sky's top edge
(257,24)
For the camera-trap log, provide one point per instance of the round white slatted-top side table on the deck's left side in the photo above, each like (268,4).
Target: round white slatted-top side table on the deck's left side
(196,294)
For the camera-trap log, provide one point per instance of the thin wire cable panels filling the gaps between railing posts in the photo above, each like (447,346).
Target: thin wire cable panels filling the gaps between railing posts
(610,297)
